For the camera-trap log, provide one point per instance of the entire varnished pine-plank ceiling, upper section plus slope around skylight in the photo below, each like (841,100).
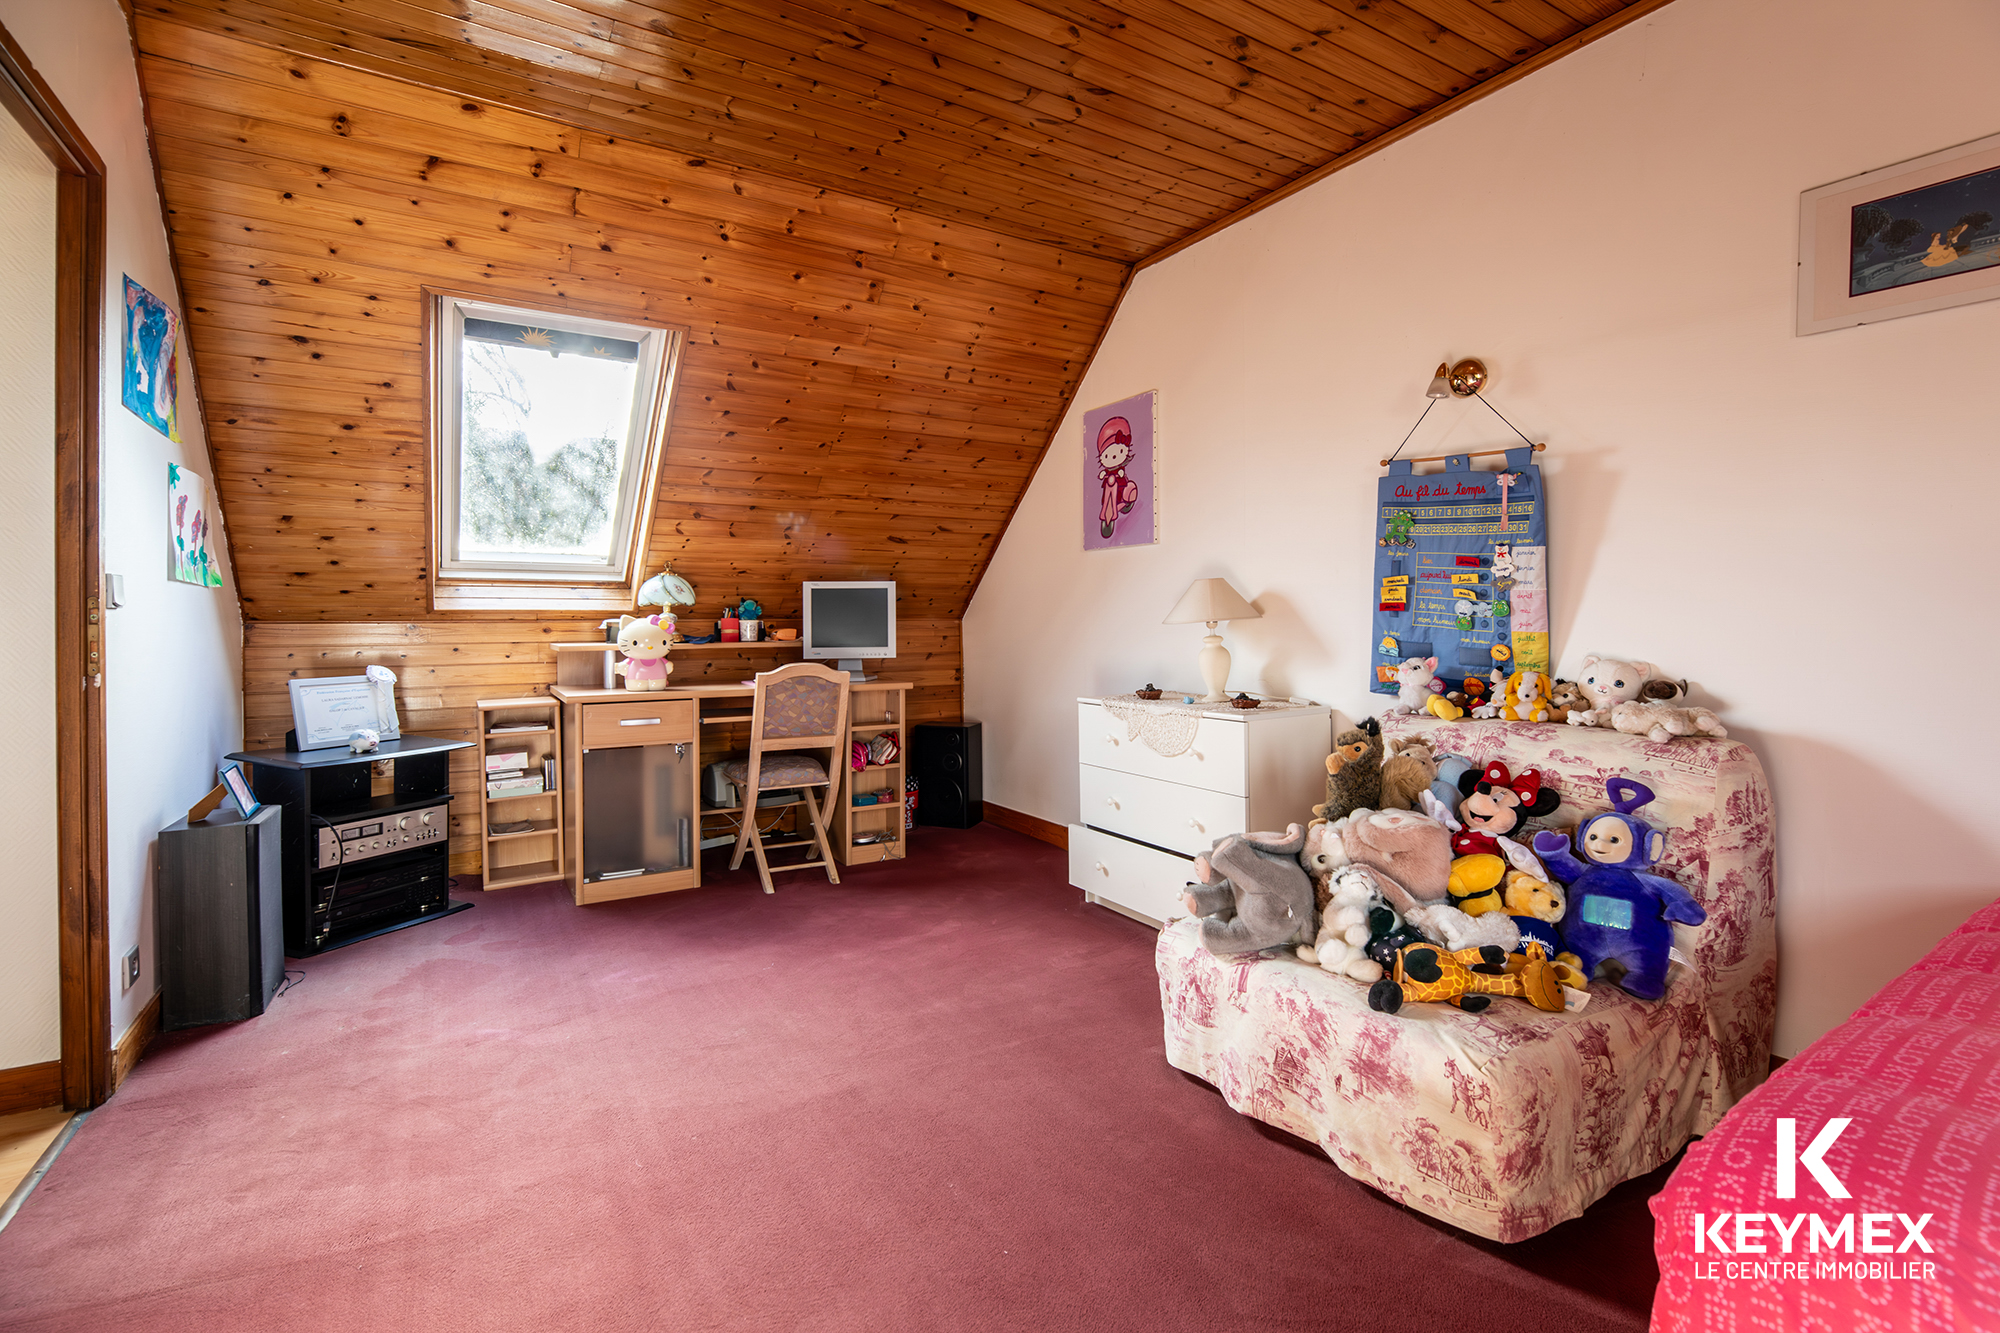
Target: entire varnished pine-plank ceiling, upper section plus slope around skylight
(897,229)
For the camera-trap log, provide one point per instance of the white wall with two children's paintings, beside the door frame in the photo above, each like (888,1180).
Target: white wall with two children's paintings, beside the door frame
(173,668)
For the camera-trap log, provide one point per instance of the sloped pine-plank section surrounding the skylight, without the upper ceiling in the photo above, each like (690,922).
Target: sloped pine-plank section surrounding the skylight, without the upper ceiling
(865,395)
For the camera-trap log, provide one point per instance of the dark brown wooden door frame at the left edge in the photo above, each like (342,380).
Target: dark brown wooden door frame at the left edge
(81,860)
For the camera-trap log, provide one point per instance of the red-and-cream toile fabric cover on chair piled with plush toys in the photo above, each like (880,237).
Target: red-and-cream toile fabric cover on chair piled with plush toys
(1511,1122)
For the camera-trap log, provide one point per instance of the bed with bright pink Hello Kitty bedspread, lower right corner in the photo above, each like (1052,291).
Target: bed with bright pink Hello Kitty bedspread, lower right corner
(1917,1076)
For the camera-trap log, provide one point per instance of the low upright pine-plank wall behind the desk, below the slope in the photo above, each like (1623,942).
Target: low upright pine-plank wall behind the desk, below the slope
(443,668)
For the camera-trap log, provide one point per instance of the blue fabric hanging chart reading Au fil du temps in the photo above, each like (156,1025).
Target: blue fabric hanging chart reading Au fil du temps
(1461,569)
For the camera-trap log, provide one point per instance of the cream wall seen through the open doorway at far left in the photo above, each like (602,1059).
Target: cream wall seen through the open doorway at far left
(31,992)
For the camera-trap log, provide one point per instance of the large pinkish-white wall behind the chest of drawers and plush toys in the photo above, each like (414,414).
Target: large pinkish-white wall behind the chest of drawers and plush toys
(1801,525)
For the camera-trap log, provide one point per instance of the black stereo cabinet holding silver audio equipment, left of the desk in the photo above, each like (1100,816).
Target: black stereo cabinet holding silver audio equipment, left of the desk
(341,906)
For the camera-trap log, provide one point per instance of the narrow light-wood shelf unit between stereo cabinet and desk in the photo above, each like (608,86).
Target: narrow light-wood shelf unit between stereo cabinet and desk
(521,792)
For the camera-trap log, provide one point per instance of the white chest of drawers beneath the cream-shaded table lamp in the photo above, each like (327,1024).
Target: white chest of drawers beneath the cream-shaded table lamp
(1145,816)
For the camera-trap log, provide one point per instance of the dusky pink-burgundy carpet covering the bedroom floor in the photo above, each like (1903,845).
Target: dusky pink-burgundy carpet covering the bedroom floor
(931,1098)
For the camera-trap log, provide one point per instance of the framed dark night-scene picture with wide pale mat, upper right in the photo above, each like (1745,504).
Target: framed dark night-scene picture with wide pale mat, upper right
(1921,235)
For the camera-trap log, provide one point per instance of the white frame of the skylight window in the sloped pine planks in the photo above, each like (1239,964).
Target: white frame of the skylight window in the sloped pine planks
(551,583)
